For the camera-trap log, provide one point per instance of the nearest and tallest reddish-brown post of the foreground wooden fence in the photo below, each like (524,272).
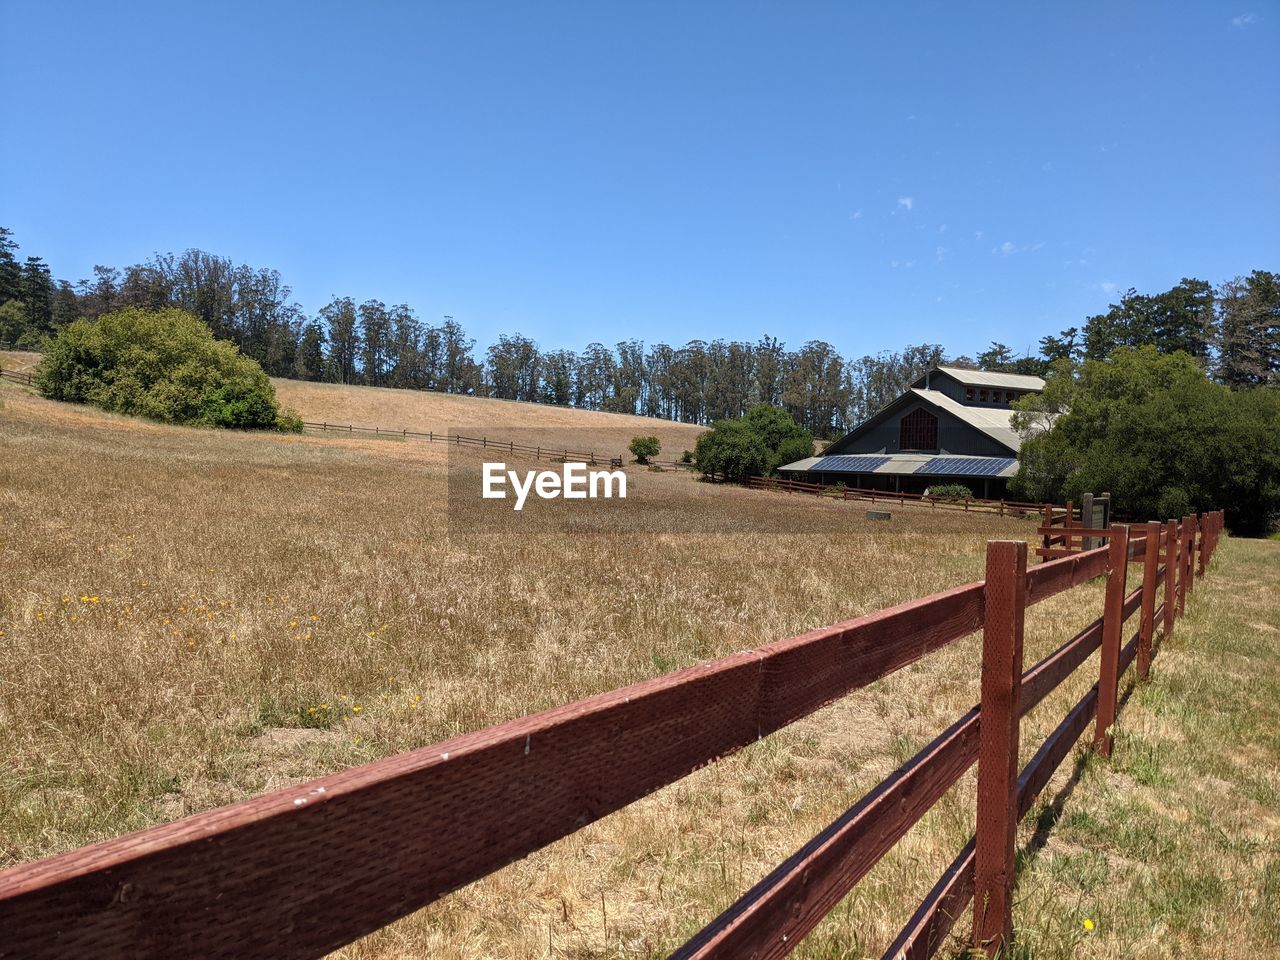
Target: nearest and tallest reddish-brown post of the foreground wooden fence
(998,746)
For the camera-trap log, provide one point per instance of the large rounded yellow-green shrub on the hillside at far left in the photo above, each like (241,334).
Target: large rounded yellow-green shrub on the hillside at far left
(163,365)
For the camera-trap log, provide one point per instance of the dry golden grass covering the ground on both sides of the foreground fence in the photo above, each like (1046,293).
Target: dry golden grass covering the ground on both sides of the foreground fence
(193,618)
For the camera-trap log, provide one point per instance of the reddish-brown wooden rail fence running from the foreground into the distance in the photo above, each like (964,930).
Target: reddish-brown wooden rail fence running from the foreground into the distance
(304,871)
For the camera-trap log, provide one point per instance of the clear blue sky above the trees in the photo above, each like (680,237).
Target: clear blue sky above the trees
(870,175)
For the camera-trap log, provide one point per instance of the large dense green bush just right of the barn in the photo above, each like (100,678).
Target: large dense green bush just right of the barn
(1159,435)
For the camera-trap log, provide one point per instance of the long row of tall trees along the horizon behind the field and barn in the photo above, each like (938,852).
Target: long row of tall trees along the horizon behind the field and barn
(1233,331)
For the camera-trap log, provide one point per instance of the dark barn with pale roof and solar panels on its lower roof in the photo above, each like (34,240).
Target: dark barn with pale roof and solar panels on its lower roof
(952,427)
